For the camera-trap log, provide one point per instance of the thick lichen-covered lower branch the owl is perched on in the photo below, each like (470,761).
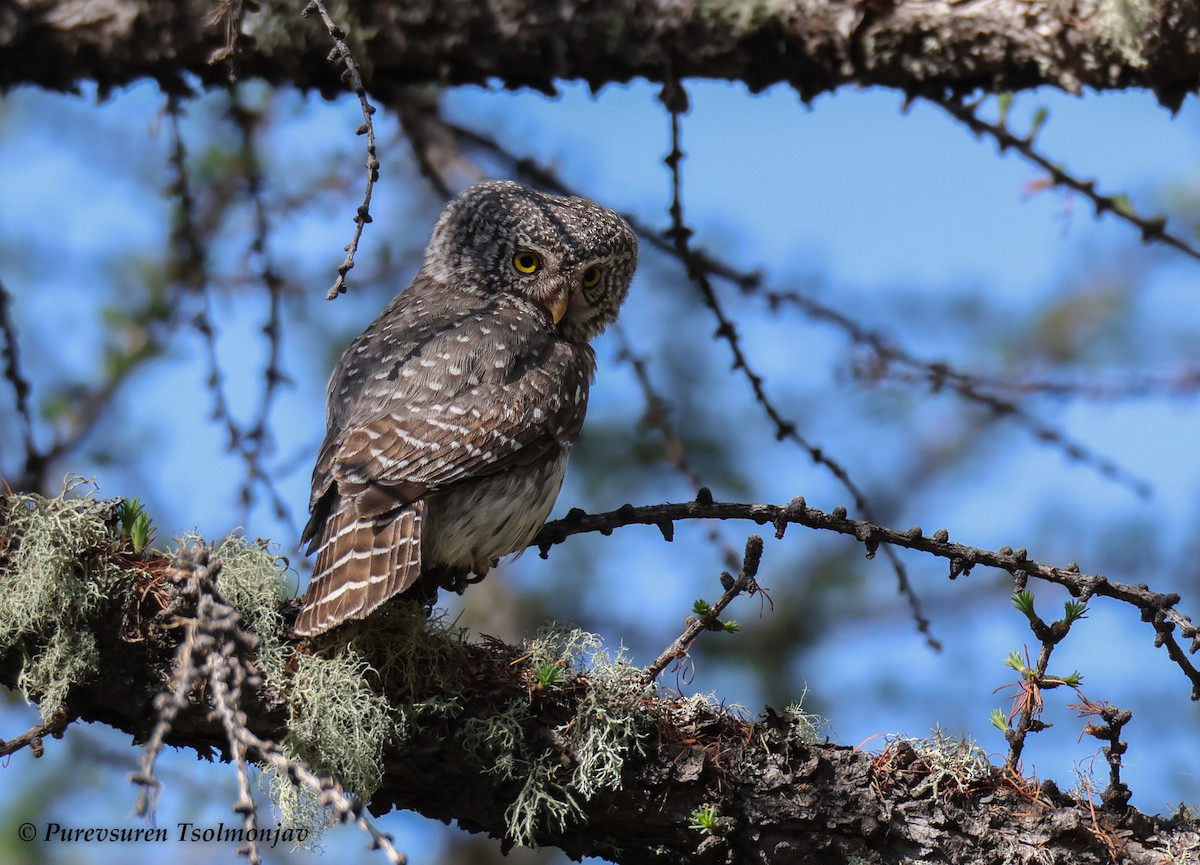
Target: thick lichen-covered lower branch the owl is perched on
(593,761)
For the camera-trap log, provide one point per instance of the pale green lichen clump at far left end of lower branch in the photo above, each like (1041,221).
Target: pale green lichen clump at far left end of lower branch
(57,575)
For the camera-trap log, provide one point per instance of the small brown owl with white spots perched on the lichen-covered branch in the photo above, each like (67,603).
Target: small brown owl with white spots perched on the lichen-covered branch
(451,418)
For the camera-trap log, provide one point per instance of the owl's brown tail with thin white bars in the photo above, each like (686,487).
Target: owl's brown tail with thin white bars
(362,562)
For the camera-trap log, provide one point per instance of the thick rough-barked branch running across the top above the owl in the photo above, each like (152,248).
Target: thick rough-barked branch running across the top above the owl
(817,46)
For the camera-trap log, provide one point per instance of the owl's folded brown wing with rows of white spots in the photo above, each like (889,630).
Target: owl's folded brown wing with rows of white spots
(418,446)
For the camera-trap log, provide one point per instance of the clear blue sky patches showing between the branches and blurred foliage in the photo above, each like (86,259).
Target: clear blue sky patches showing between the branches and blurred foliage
(902,219)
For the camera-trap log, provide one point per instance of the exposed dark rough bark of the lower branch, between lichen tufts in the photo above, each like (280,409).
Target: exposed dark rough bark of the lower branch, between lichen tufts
(779,801)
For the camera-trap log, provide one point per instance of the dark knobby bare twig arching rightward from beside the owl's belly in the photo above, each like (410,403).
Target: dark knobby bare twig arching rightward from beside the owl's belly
(1157,609)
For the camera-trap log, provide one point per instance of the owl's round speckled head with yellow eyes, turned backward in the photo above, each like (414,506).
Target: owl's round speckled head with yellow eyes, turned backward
(565,257)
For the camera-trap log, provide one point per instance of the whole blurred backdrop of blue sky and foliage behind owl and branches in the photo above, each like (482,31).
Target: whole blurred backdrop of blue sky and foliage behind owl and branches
(167,265)
